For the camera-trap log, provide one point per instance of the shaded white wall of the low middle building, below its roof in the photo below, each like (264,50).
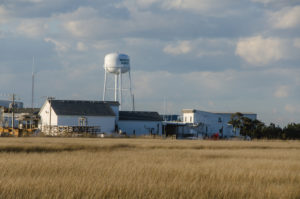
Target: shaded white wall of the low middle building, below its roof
(140,127)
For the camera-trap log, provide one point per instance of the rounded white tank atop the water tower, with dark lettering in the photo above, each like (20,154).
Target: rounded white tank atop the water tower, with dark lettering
(116,63)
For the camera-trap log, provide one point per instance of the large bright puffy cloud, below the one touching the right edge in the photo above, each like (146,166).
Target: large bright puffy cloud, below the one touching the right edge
(260,51)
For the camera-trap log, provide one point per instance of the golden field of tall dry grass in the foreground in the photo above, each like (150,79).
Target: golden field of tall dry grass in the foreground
(148,168)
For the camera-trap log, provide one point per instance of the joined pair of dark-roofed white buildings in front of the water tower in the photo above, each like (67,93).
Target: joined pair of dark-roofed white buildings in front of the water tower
(58,117)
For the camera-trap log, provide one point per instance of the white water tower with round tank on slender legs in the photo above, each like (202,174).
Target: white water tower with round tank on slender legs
(117,64)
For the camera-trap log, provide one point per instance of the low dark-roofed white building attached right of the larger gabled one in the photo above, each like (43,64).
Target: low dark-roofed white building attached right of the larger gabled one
(140,123)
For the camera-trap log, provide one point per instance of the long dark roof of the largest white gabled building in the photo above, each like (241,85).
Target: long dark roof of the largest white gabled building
(82,108)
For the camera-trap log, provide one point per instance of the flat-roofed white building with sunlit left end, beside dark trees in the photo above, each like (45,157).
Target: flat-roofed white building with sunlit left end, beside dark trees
(210,123)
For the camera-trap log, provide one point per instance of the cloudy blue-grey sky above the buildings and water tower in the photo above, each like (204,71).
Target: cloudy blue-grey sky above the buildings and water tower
(211,55)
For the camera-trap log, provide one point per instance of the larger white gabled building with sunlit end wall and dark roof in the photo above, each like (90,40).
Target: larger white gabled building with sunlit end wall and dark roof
(55,113)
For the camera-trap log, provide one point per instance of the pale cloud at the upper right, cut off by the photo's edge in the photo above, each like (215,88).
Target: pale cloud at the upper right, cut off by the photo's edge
(285,18)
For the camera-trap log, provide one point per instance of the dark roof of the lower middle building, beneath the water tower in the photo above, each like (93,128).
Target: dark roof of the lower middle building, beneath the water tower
(139,115)
